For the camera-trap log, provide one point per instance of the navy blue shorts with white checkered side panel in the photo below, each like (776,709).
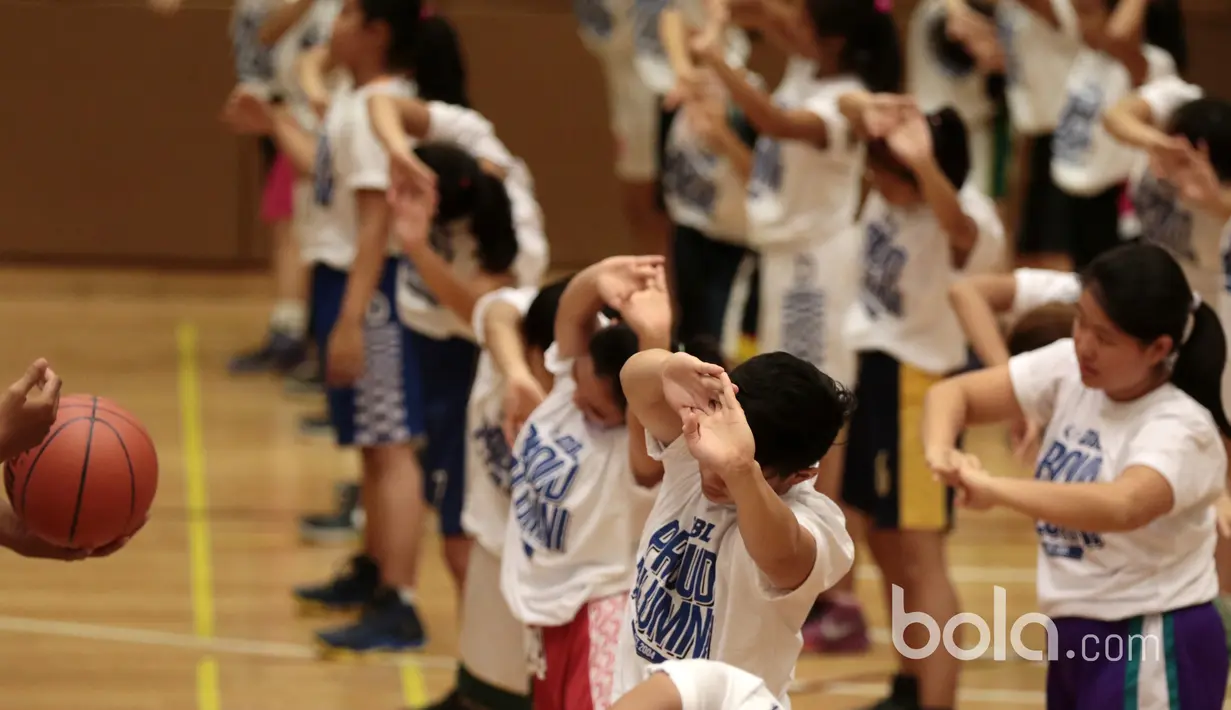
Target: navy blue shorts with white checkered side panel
(386,405)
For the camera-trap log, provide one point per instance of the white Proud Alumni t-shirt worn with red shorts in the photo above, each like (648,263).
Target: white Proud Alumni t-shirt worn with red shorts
(577,513)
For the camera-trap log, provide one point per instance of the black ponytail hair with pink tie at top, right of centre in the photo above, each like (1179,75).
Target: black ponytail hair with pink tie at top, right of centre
(872,51)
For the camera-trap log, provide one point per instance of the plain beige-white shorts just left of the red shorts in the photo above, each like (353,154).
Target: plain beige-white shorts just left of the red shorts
(493,643)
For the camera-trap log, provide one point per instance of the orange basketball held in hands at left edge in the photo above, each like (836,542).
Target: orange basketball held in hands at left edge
(93,479)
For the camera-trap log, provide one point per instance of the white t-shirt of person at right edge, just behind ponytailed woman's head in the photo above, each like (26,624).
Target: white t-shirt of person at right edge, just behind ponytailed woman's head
(1193,237)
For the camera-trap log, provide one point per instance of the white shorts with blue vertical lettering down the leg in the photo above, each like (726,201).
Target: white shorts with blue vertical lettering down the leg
(806,292)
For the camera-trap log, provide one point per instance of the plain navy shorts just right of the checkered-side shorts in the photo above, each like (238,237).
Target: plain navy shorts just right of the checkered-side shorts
(447,369)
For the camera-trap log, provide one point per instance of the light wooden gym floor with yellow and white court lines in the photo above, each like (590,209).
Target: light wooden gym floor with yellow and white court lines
(196,612)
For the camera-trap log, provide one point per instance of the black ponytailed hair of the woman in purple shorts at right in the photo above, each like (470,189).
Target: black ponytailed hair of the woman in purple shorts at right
(1147,295)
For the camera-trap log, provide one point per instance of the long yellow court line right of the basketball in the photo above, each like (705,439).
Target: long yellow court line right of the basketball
(200,565)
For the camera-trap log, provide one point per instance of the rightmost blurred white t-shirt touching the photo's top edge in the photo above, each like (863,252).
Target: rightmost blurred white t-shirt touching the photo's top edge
(1036,56)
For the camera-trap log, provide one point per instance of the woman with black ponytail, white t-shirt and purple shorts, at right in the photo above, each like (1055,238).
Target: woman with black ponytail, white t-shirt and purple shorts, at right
(1125,489)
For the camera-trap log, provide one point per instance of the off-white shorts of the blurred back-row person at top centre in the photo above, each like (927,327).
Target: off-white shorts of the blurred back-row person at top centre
(635,114)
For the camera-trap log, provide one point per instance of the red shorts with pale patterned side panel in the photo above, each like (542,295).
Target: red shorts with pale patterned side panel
(582,658)
